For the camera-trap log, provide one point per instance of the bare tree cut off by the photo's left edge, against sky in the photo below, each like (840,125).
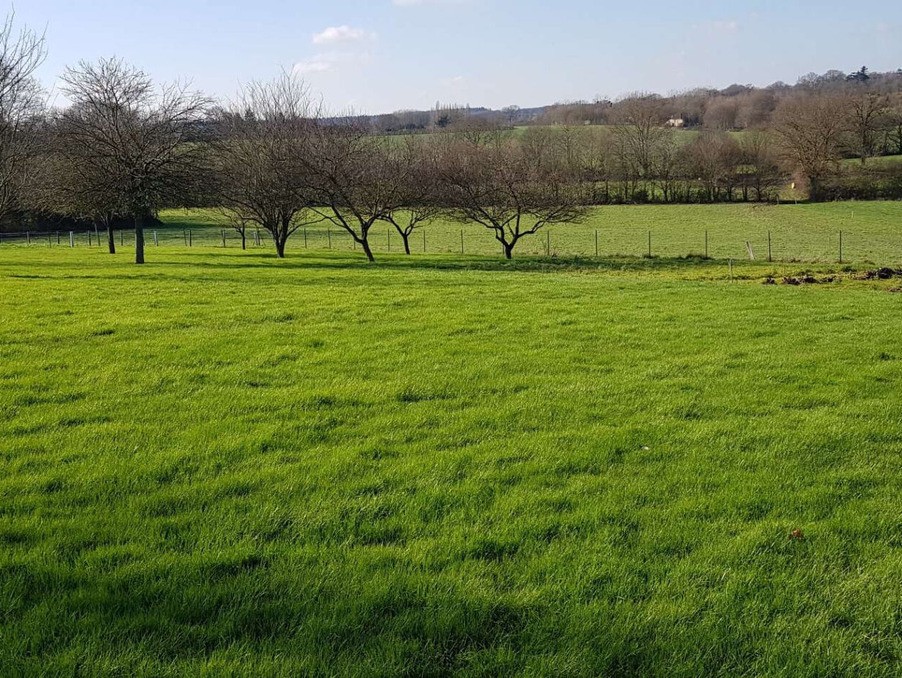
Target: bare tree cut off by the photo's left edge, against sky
(21,104)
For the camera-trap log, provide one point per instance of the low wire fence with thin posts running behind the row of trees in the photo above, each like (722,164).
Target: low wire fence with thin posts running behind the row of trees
(778,245)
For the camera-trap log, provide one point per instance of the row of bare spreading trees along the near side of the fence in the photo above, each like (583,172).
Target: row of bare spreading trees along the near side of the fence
(124,149)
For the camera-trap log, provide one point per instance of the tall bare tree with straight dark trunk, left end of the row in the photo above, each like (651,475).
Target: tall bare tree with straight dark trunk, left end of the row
(137,135)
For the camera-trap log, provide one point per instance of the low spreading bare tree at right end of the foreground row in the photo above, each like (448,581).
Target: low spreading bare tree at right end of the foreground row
(510,189)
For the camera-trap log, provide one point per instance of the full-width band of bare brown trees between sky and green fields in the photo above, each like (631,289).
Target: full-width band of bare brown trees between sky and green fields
(126,147)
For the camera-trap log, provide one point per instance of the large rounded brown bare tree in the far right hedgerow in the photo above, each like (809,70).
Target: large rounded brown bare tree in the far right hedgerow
(811,129)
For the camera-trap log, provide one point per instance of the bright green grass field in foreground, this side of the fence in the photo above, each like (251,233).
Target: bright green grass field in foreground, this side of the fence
(225,464)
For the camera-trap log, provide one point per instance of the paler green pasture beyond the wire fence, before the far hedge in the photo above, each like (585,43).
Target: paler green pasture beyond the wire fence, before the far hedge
(847,233)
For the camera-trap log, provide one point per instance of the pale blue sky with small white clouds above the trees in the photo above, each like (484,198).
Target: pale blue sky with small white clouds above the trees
(382,55)
